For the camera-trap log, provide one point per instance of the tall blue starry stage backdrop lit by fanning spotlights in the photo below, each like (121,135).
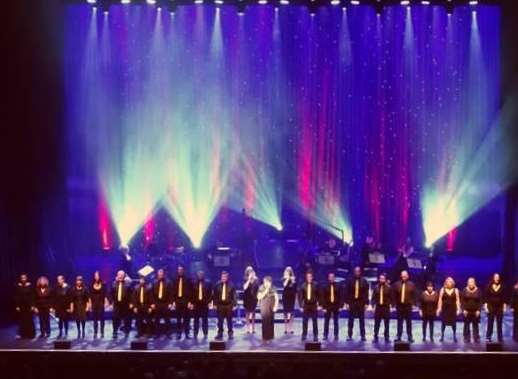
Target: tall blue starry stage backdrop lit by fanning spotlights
(343,121)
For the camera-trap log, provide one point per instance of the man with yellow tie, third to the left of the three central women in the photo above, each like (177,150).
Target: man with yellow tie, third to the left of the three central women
(182,293)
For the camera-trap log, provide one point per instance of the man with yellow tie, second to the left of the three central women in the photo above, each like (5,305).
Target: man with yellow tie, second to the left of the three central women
(201,299)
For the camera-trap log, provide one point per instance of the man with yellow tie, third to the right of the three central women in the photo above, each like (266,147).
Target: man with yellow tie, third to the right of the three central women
(357,299)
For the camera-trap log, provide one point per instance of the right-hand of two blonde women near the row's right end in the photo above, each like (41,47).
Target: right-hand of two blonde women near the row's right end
(471,302)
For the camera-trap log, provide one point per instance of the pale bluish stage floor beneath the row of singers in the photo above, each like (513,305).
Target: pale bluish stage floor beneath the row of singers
(244,342)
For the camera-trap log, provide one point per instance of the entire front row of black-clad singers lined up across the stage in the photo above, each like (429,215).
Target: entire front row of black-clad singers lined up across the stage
(151,303)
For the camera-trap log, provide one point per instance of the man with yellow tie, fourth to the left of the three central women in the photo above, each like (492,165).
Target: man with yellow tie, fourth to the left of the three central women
(162,303)
